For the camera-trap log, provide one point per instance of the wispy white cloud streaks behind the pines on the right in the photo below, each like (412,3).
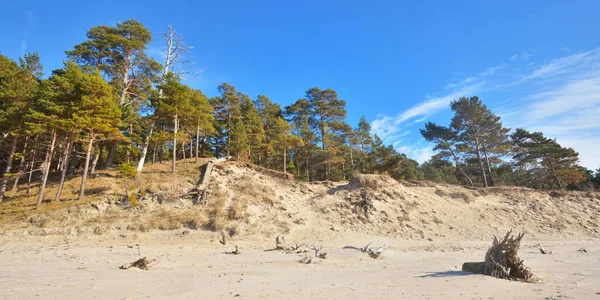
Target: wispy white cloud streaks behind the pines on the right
(561,98)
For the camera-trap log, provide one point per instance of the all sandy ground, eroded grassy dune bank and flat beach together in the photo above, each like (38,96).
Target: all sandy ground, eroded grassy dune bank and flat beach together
(75,252)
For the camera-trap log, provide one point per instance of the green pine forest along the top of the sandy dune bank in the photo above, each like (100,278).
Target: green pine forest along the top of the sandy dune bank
(112,105)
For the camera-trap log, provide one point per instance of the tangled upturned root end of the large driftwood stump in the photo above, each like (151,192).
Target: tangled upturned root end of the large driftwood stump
(502,260)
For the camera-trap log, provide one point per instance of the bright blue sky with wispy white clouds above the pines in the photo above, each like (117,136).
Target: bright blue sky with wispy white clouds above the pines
(398,63)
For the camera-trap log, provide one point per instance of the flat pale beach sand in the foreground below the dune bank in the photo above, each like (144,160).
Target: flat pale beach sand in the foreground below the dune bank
(191,267)
